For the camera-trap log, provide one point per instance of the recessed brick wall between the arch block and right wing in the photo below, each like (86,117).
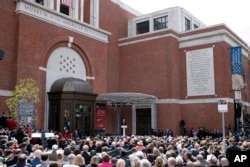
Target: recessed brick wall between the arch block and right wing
(113,19)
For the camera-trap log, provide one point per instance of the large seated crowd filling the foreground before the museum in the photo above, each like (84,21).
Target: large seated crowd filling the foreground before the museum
(18,148)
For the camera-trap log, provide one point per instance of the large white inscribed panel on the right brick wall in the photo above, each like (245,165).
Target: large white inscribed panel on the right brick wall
(200,72)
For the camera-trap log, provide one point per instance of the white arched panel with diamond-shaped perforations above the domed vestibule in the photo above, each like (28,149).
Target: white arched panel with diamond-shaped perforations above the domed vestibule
(63,62)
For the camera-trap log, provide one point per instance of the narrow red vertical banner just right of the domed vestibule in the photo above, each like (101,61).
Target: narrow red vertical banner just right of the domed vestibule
(100,117)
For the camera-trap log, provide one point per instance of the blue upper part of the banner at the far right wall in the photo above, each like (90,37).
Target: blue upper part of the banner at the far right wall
(236,60)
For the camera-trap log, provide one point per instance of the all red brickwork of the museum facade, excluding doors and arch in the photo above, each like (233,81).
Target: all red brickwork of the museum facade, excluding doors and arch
(153,64)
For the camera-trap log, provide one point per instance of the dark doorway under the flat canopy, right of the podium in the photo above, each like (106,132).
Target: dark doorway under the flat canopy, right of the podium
(143,121)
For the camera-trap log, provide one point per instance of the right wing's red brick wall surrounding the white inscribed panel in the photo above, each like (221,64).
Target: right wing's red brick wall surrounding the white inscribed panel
(155,64)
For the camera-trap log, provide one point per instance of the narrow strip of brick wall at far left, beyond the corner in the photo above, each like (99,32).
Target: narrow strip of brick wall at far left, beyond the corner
(8,43)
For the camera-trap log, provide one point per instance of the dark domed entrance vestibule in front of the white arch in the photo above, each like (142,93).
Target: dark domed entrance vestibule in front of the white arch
(71,106)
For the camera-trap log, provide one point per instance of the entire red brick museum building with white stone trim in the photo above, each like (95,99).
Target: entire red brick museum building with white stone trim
(166,67)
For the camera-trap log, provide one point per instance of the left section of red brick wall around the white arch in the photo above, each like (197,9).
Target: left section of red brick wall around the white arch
(29,41)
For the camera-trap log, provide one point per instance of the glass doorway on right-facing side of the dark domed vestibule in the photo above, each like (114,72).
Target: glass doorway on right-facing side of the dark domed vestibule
(83,117)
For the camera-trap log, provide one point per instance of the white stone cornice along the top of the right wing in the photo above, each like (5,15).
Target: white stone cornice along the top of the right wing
(196,38)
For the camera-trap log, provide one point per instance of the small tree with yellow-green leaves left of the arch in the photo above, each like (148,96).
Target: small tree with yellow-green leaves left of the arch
(25,92)
